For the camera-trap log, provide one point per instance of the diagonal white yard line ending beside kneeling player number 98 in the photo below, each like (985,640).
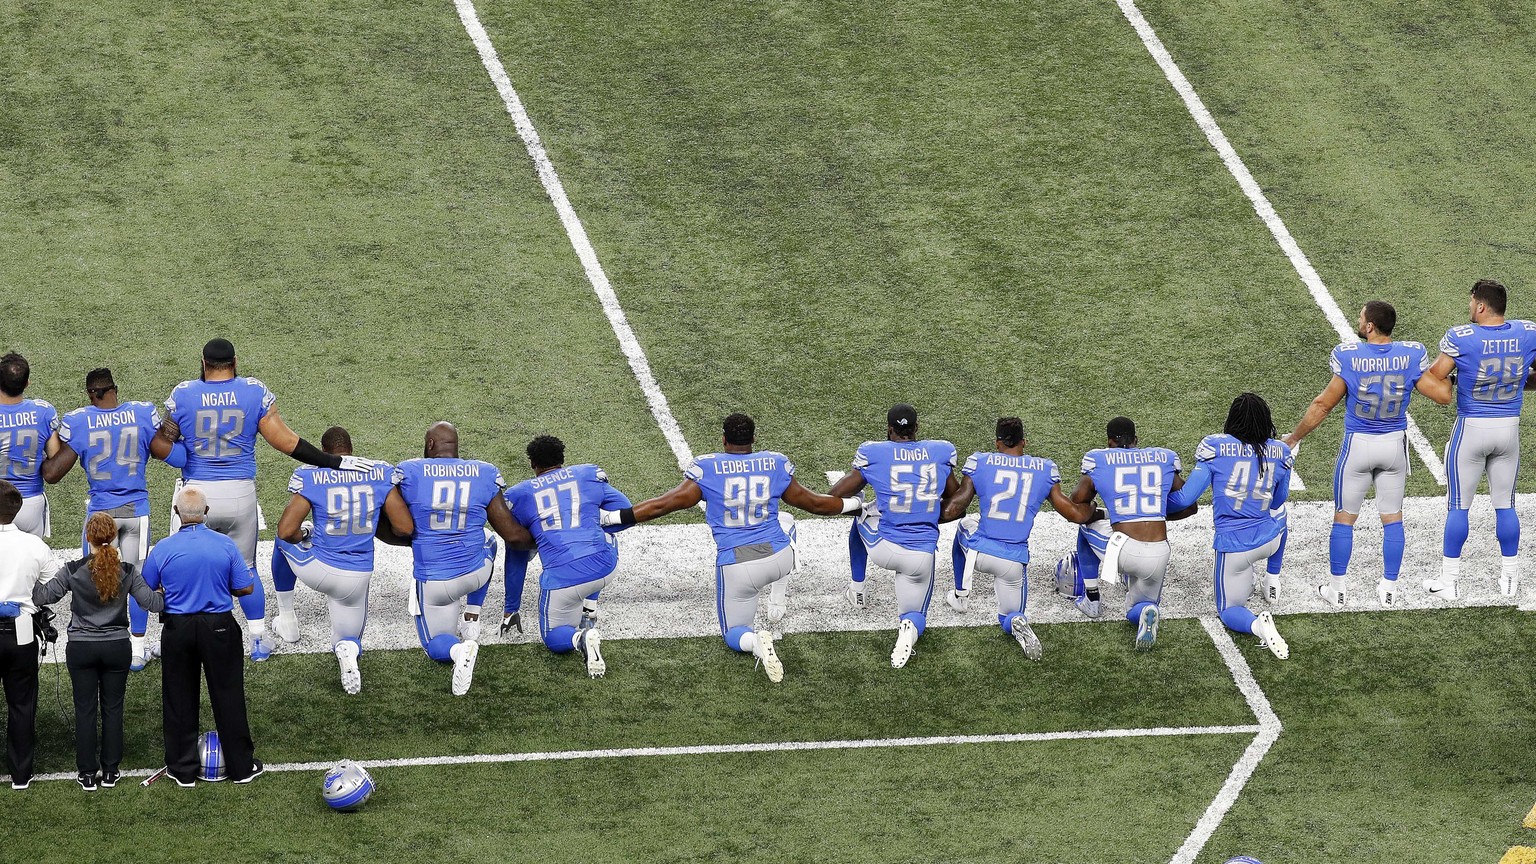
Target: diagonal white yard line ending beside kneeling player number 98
(578,236)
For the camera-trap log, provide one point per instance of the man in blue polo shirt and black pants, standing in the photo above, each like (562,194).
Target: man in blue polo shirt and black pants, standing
(202,573)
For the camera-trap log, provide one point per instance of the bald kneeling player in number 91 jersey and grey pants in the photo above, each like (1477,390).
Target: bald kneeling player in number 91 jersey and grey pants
(448,505)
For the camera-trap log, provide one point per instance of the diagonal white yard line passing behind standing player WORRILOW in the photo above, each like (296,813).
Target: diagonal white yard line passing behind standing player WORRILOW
(1263,208)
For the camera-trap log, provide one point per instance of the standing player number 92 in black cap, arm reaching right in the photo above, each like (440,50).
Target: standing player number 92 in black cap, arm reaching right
(219,417)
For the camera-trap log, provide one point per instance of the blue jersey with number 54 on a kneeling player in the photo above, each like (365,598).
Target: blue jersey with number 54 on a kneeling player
(909,480)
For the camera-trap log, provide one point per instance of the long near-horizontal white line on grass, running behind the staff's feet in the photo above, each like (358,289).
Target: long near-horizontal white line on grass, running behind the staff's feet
(761,748)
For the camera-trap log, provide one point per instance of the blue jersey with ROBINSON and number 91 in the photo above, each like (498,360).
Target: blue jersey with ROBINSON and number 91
(448,500)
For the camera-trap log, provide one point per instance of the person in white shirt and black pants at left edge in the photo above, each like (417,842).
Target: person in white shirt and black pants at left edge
(25,560)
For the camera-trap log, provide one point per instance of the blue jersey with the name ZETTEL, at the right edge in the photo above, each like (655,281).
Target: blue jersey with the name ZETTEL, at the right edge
(1491,367)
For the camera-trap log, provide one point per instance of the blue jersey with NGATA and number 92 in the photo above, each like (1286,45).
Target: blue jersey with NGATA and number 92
(219,424)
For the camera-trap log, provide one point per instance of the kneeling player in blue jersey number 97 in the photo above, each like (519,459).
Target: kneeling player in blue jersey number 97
(563,510)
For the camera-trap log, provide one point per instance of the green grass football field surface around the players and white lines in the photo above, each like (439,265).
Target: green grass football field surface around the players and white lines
(809,213)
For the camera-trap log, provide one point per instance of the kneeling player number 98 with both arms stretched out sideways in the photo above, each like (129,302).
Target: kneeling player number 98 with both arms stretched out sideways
(755,542)
